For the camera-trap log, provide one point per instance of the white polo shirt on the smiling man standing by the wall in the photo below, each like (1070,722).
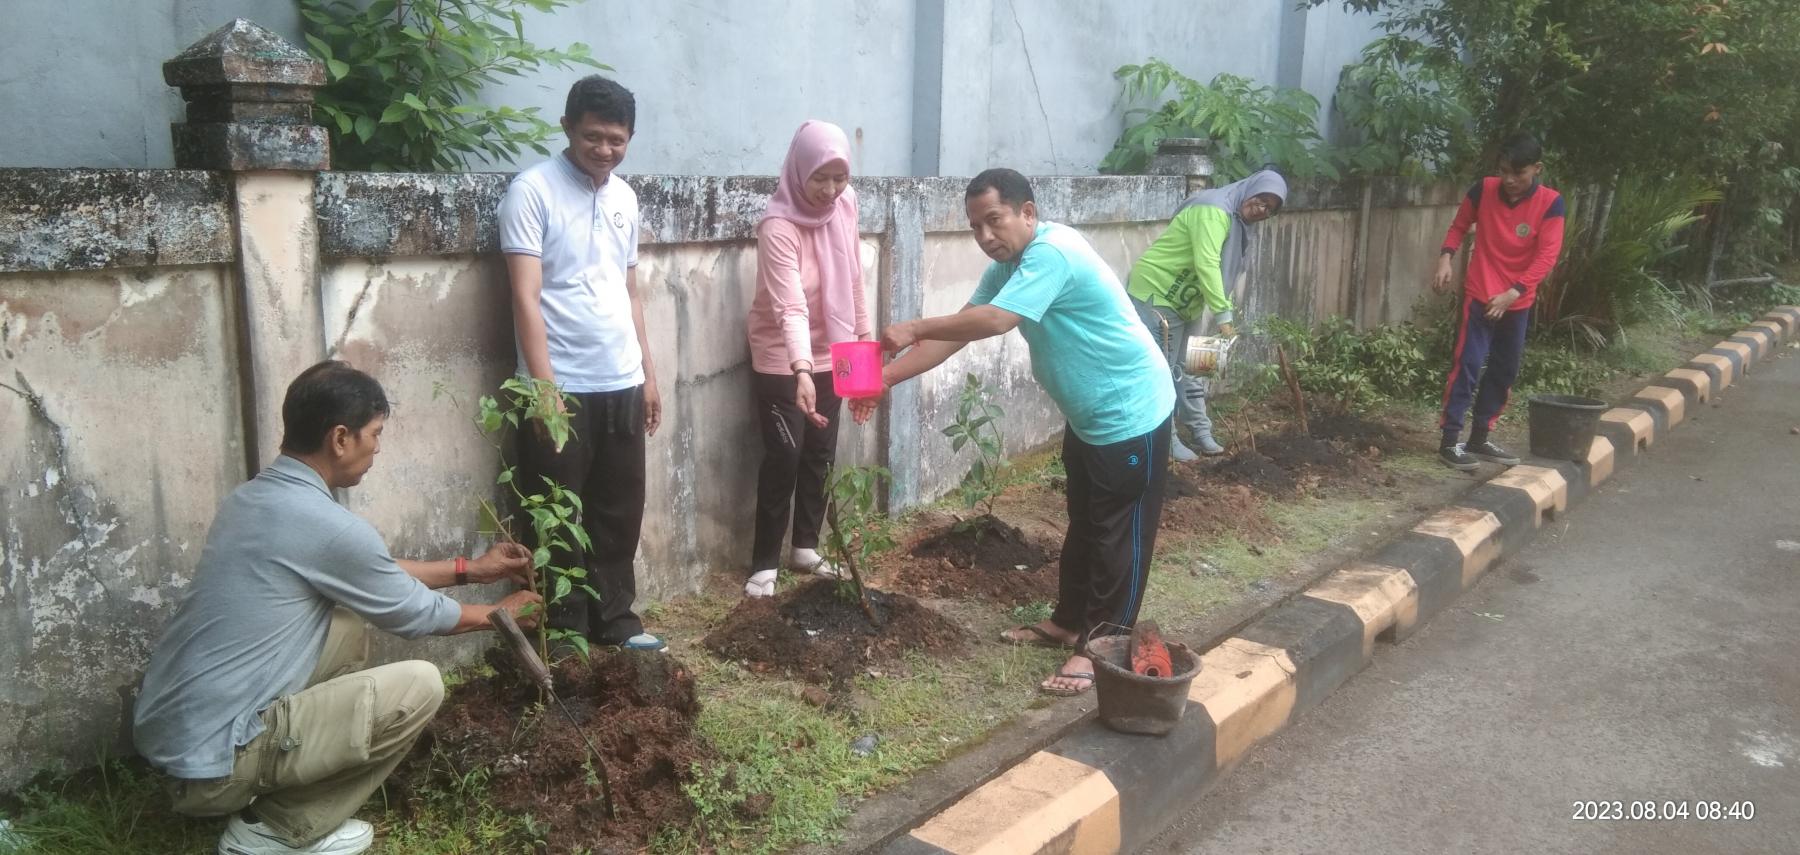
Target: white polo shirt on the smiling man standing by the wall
(586,238)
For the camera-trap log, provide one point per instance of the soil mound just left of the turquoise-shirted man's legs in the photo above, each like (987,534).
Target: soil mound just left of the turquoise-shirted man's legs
(985,557)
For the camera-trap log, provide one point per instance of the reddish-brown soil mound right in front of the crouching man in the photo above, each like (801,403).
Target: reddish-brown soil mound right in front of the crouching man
(640,712)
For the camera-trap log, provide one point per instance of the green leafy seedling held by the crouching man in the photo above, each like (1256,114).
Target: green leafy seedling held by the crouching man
(552,510)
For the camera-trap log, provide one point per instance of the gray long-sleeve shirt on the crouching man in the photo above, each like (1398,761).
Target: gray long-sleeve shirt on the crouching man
(278,559)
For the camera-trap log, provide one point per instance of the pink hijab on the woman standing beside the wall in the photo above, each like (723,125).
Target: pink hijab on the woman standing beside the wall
(834,226)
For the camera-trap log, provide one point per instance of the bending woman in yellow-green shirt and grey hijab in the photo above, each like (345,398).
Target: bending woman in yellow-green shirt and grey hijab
(1189,271)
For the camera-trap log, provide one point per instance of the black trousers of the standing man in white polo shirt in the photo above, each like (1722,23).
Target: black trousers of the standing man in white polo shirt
(604,463)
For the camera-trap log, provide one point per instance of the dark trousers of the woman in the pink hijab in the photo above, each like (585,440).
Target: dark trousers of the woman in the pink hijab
(796,462)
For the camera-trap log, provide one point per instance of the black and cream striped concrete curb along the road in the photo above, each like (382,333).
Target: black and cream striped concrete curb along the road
(1099,793)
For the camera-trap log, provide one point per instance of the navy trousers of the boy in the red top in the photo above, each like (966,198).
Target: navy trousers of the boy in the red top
(1491,345)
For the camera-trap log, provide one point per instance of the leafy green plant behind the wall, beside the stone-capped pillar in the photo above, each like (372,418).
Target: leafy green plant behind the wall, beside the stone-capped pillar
(404,80)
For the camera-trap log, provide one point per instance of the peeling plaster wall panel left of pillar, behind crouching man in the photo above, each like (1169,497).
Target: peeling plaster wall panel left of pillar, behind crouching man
(121,431)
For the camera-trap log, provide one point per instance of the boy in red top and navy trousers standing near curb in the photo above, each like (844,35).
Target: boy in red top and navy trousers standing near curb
(1518,238)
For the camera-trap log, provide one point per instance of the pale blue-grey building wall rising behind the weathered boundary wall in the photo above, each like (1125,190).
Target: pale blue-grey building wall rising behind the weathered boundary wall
(924,87)
